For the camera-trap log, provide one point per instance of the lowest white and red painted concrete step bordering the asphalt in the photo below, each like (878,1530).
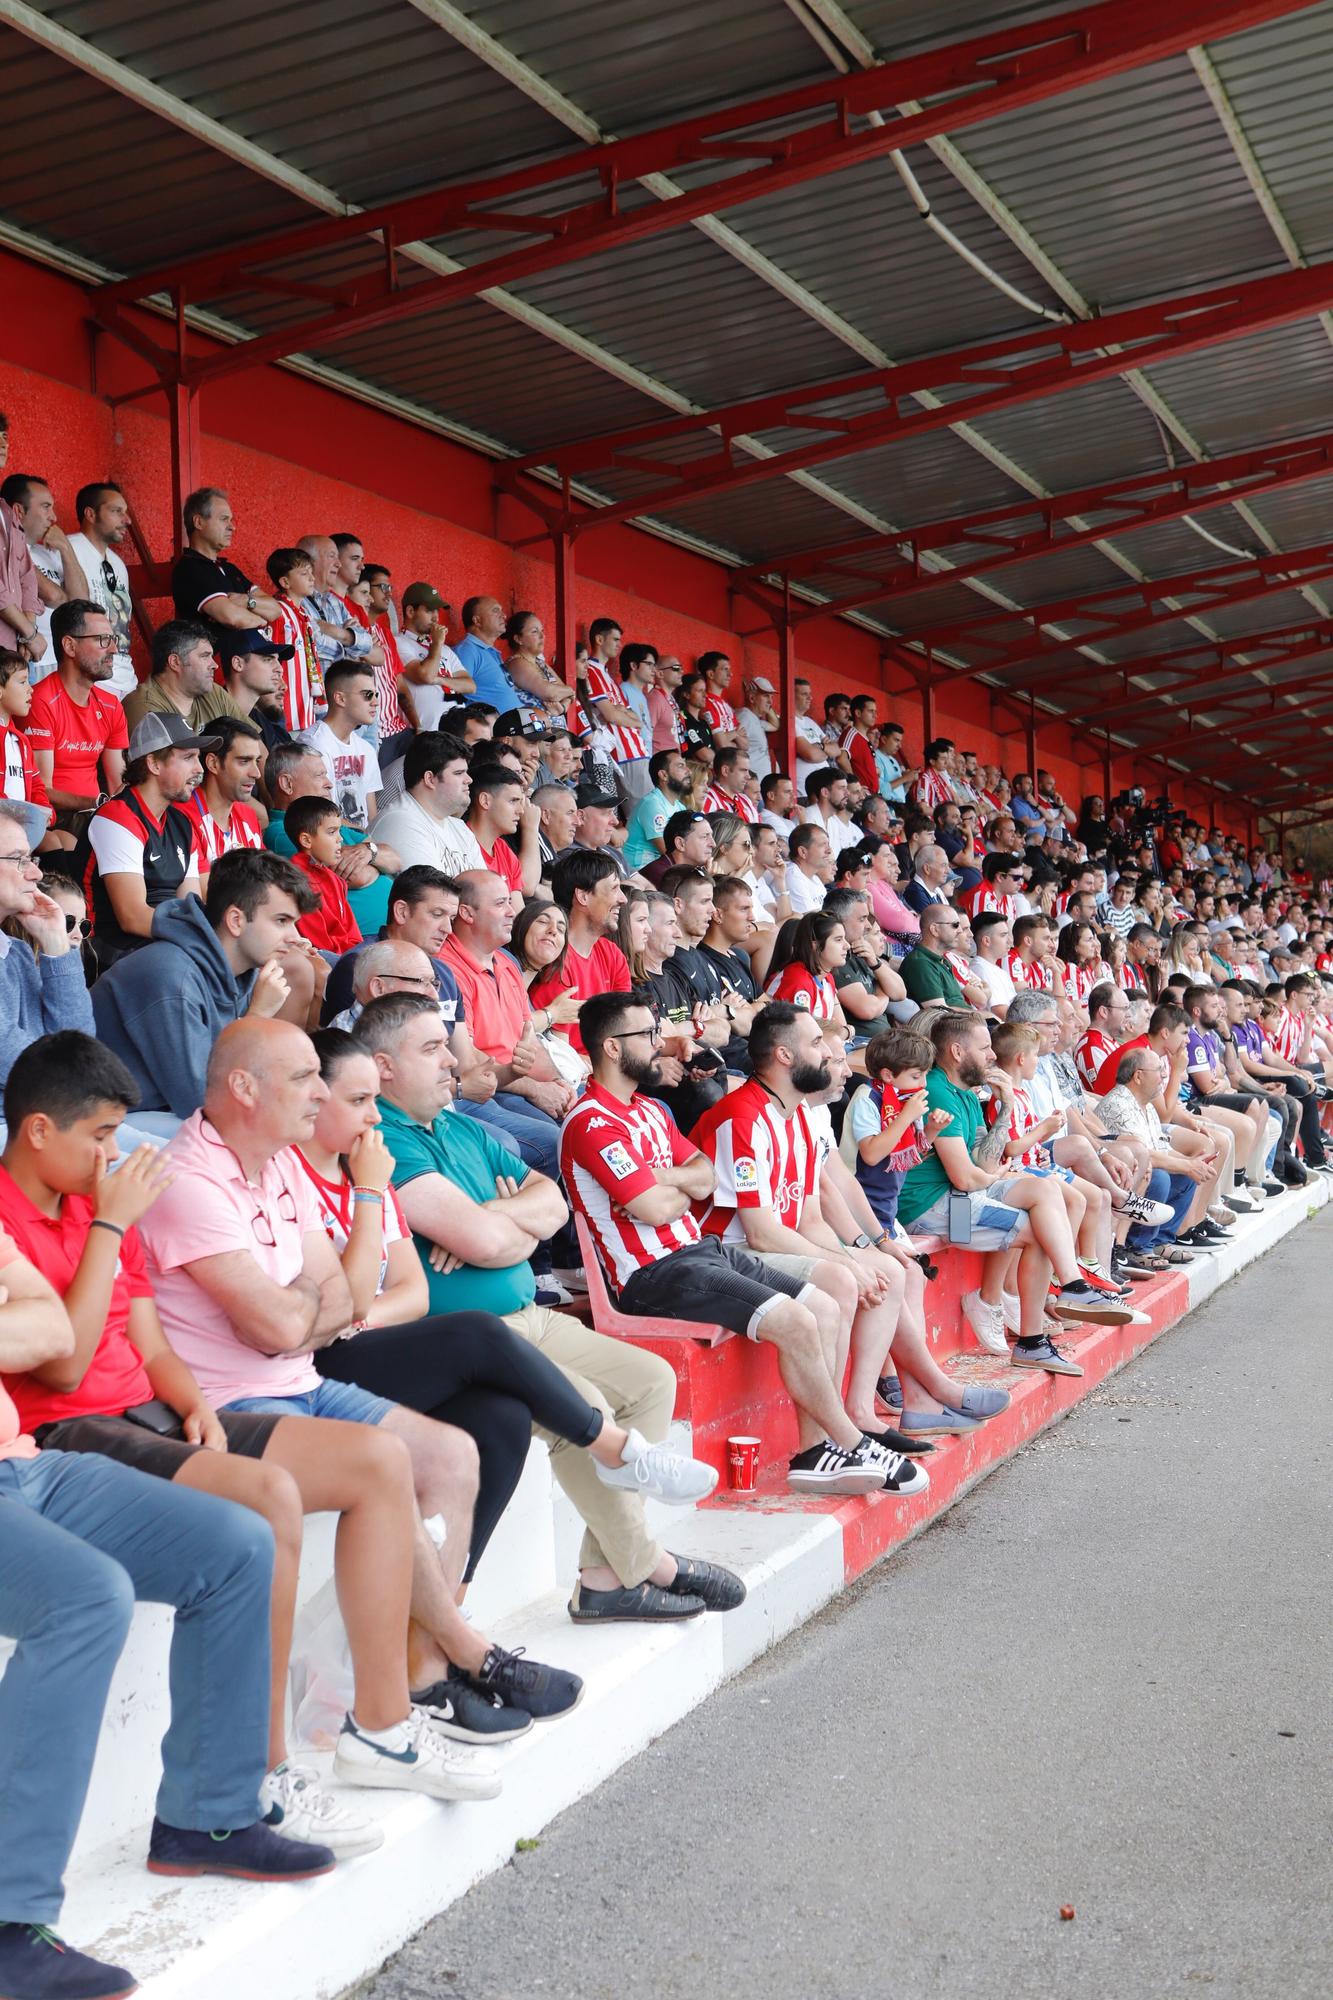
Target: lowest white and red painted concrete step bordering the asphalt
(309,1943)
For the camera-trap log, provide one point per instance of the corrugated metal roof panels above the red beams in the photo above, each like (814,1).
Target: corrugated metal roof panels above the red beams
(1134,189)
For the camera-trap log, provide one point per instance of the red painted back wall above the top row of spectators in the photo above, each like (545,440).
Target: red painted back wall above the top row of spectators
(303,459)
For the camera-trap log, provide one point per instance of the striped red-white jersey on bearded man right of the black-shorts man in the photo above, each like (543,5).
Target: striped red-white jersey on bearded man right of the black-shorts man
(762,1159)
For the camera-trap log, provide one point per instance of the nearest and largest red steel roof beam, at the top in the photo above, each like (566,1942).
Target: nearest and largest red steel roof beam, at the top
(780,141)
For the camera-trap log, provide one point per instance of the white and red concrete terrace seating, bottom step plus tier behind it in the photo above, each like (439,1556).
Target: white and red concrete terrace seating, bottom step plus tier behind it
(205,1941)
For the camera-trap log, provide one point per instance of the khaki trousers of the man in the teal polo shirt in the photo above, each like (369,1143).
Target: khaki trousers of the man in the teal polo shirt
(633,1389)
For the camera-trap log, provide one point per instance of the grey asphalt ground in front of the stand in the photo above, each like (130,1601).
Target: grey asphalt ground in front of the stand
(1100,1683)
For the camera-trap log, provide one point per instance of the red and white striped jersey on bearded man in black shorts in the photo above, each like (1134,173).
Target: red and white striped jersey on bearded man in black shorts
(609,1155)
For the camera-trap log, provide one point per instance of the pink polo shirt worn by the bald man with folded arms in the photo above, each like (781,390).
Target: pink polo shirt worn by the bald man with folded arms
(209,1211)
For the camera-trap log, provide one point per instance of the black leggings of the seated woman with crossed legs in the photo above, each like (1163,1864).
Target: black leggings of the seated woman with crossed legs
(469,1369)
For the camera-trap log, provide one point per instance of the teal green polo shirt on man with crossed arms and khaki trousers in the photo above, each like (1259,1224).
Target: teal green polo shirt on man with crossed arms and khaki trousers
(465,1153)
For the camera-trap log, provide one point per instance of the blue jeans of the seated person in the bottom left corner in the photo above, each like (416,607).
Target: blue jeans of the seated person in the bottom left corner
(81,1541)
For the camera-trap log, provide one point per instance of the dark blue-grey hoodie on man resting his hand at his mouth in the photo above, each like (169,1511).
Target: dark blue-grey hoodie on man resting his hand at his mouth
(163,1007)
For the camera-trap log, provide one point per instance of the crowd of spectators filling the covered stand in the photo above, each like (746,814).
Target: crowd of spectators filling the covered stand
(363,973)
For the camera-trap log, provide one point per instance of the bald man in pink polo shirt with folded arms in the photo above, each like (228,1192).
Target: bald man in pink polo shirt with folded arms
(249,1283)
